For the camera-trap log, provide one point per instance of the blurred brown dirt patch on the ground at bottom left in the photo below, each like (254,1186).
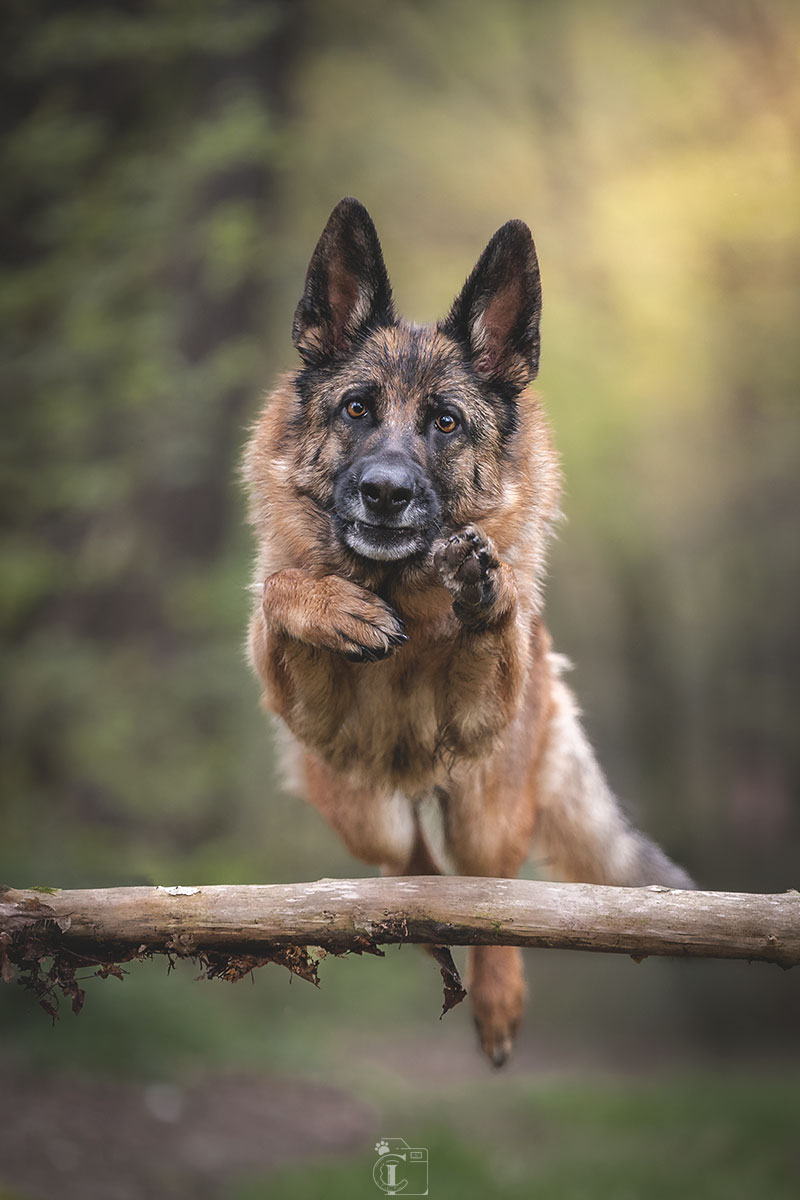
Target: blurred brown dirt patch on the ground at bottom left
(67,1139)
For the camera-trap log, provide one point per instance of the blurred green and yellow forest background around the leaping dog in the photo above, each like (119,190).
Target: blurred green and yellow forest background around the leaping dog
(167,169)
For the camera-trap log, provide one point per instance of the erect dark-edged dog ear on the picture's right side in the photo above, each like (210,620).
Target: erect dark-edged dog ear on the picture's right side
(496,319)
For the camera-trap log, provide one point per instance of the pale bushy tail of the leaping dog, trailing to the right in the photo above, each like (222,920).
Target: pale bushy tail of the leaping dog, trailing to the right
(582,833)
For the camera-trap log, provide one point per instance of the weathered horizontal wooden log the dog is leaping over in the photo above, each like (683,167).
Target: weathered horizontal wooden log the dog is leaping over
(341,915)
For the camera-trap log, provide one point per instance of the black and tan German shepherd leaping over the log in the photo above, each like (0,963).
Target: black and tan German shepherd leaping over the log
(402,487)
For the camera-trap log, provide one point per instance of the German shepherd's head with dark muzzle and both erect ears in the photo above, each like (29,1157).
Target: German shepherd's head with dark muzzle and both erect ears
(406,428)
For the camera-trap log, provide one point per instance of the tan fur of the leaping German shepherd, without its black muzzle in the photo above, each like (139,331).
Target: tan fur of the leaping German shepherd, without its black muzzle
(472,709)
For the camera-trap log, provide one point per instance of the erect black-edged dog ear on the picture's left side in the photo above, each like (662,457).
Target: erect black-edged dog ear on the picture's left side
(347,289)
